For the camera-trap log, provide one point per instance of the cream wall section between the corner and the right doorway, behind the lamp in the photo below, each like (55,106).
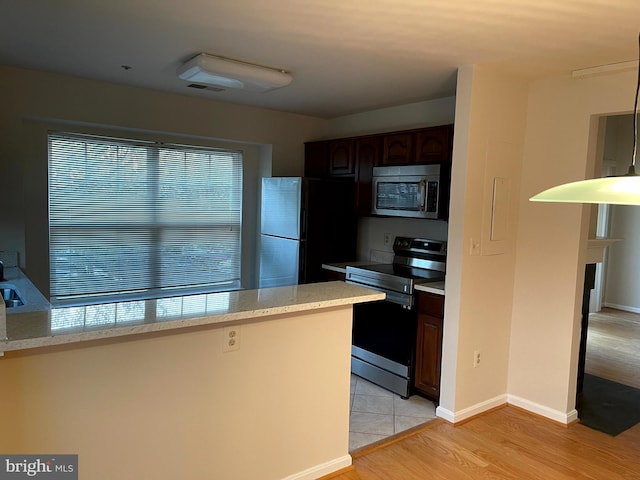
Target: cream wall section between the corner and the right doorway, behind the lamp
(562,123)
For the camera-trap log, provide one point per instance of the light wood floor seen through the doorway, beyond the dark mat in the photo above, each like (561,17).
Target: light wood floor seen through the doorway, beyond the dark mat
(613,346)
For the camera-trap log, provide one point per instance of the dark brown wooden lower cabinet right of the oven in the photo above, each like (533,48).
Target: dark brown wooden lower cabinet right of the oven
(429,345)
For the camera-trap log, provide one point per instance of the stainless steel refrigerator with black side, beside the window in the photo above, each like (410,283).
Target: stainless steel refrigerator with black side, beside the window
(305,222)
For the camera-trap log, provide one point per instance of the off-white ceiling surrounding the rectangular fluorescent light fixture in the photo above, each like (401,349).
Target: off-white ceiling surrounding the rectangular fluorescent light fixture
(345,56)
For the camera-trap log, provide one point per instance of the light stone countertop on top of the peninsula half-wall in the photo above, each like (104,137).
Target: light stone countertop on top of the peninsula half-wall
(58,326)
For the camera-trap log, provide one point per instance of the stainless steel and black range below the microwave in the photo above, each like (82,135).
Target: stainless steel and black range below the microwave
(384,333)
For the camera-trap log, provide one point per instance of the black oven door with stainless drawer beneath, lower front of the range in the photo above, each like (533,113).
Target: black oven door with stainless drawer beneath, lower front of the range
(384,344)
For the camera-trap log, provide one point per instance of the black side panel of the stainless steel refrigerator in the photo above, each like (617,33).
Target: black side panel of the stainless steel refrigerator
(328,226)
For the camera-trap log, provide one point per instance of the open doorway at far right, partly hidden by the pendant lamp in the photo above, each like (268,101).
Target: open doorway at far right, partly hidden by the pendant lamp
(608,393)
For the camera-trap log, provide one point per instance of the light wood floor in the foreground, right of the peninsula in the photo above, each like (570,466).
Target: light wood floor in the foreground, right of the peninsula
(507,443)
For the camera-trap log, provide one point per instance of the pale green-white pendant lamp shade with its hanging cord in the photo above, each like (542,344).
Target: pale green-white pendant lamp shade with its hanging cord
(616,190)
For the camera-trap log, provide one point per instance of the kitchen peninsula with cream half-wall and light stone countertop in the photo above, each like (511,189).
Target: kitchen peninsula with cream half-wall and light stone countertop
(158,391)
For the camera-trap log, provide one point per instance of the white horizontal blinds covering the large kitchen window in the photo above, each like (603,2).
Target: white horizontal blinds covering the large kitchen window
(141,219)
